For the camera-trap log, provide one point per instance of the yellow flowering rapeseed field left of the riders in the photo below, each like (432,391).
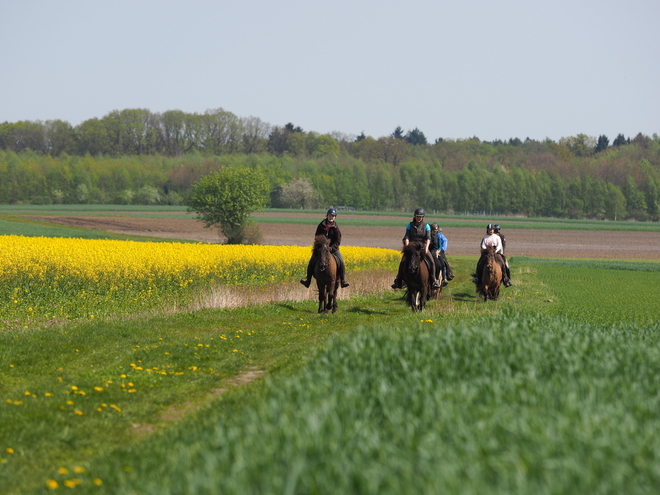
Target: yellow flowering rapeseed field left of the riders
(43,277)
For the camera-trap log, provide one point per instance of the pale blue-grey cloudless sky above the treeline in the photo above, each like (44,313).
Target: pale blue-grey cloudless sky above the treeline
(454,70)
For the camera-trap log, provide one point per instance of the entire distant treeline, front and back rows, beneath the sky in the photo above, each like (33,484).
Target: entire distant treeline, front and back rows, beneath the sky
(139,157)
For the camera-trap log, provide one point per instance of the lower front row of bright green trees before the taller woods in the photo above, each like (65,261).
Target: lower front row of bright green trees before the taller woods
(470,176)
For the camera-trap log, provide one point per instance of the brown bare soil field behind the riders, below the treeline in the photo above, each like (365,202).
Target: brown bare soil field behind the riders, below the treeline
(462,241)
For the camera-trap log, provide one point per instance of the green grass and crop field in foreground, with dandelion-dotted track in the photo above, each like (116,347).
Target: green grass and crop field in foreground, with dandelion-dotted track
(553,389)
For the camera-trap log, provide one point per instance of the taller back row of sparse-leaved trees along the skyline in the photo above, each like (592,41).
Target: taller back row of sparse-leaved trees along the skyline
(215,132)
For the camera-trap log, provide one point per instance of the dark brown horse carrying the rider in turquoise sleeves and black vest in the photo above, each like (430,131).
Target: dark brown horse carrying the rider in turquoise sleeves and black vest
(416,276)
